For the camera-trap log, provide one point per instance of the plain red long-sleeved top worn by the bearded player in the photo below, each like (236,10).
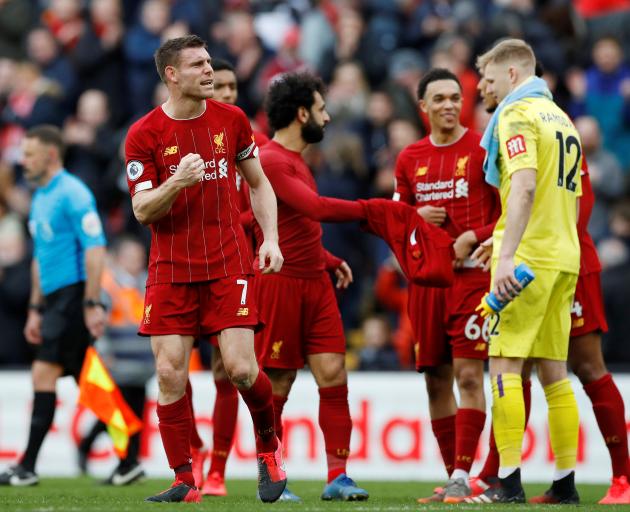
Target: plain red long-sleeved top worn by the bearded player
(300,211)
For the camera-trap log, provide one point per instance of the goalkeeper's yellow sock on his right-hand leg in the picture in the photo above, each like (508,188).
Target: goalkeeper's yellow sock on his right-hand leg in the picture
(563,423)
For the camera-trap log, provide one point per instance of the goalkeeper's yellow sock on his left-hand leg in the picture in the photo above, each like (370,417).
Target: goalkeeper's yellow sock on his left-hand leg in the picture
(508,418)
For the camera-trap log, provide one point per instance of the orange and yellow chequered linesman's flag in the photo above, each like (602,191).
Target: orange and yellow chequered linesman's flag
(99,393)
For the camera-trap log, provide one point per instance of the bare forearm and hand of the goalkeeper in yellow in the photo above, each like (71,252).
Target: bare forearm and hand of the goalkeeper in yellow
(519,209)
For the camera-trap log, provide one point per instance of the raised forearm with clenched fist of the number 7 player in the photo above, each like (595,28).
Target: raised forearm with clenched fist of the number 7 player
(152,205)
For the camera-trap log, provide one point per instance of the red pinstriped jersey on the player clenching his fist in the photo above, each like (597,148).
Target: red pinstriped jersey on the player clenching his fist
(201,237)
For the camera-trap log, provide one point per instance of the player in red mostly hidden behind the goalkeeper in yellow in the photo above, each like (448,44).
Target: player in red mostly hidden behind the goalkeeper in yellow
(585,354)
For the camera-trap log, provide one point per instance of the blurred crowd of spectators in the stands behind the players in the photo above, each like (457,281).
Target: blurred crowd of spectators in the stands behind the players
(87,66)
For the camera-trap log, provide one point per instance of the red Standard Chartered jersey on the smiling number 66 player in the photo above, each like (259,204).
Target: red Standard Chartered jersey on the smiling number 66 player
(450,176)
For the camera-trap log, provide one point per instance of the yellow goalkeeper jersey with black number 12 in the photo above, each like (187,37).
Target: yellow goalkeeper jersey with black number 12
(535,133)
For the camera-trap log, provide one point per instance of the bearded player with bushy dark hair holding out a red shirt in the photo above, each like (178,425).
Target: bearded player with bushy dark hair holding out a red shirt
(298,304)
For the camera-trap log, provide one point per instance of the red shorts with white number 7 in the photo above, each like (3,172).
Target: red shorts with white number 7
(199,309)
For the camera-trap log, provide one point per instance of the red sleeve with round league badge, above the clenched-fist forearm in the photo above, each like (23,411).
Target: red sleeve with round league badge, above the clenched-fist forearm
(141,170)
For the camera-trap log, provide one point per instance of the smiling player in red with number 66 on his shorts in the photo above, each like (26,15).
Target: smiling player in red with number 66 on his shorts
(442,175)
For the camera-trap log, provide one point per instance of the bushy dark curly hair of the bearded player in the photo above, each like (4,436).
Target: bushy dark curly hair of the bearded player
(287,94)
